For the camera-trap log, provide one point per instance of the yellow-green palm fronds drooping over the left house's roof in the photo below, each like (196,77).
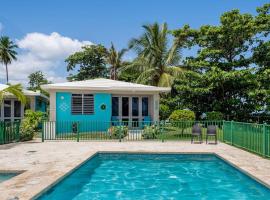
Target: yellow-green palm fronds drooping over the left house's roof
(15,90)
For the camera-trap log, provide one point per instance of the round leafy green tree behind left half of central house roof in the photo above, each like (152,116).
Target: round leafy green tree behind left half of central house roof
(91,63)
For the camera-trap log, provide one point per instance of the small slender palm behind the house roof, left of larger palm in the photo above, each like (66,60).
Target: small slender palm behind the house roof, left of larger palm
(115,61)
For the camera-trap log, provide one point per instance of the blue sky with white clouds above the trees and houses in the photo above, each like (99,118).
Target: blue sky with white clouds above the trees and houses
(48,31)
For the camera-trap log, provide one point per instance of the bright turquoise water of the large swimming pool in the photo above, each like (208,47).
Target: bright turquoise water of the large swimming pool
(156,176)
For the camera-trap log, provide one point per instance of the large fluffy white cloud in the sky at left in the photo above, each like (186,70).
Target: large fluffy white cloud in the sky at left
(43,52)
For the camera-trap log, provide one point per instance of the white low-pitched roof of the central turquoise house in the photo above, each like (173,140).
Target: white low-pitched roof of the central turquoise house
(101,84)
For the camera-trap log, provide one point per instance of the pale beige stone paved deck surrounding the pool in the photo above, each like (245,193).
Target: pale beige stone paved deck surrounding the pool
(45,163)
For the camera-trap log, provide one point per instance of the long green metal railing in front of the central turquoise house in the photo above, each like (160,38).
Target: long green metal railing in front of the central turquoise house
(125,131)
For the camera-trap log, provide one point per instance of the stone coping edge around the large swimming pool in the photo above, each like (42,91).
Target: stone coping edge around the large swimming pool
(43,191)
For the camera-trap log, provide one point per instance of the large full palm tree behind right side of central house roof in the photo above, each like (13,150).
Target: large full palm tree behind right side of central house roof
(158,64)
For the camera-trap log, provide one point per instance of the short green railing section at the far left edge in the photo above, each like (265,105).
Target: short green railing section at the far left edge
(9,132)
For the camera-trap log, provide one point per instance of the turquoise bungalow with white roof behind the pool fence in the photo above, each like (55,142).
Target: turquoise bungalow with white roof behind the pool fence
(103,100)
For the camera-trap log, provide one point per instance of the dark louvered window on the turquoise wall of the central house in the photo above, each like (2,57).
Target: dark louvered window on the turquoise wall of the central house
(82,104)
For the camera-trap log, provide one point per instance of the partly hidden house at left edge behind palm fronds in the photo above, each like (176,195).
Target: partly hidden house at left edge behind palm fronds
(11,108)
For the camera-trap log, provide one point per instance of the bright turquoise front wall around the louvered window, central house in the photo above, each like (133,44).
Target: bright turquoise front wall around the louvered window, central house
(99,121)
